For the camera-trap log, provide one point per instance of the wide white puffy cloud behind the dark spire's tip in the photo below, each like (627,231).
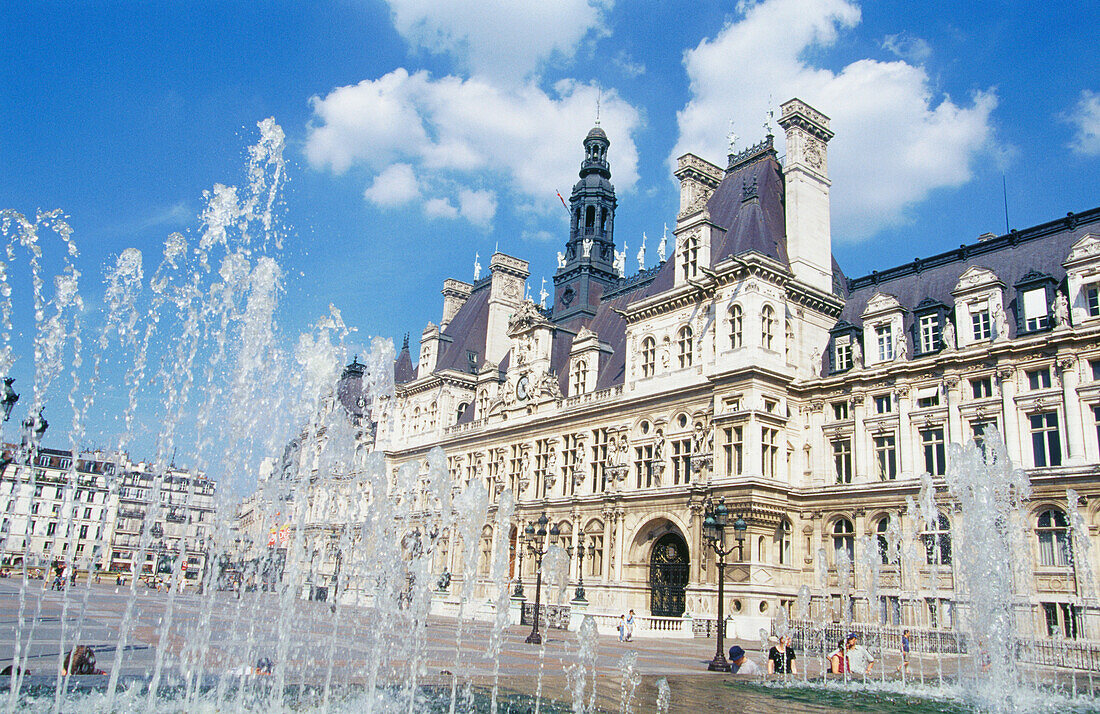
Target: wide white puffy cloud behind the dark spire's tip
(455,133)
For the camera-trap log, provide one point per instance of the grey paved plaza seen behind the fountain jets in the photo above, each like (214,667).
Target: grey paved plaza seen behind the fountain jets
(243,630)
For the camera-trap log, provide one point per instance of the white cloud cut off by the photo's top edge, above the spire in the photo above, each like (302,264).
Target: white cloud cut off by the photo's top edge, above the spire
(504,39)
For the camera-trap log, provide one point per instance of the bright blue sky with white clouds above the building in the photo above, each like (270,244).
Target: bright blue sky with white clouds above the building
(421,133)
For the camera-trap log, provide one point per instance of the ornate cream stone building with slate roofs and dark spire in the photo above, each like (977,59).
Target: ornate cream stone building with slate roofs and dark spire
(749,367)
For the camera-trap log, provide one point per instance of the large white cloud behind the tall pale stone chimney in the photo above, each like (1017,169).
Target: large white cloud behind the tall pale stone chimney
(896,142)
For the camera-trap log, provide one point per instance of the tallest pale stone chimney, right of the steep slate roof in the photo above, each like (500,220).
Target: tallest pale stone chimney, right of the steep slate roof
(807,184)
